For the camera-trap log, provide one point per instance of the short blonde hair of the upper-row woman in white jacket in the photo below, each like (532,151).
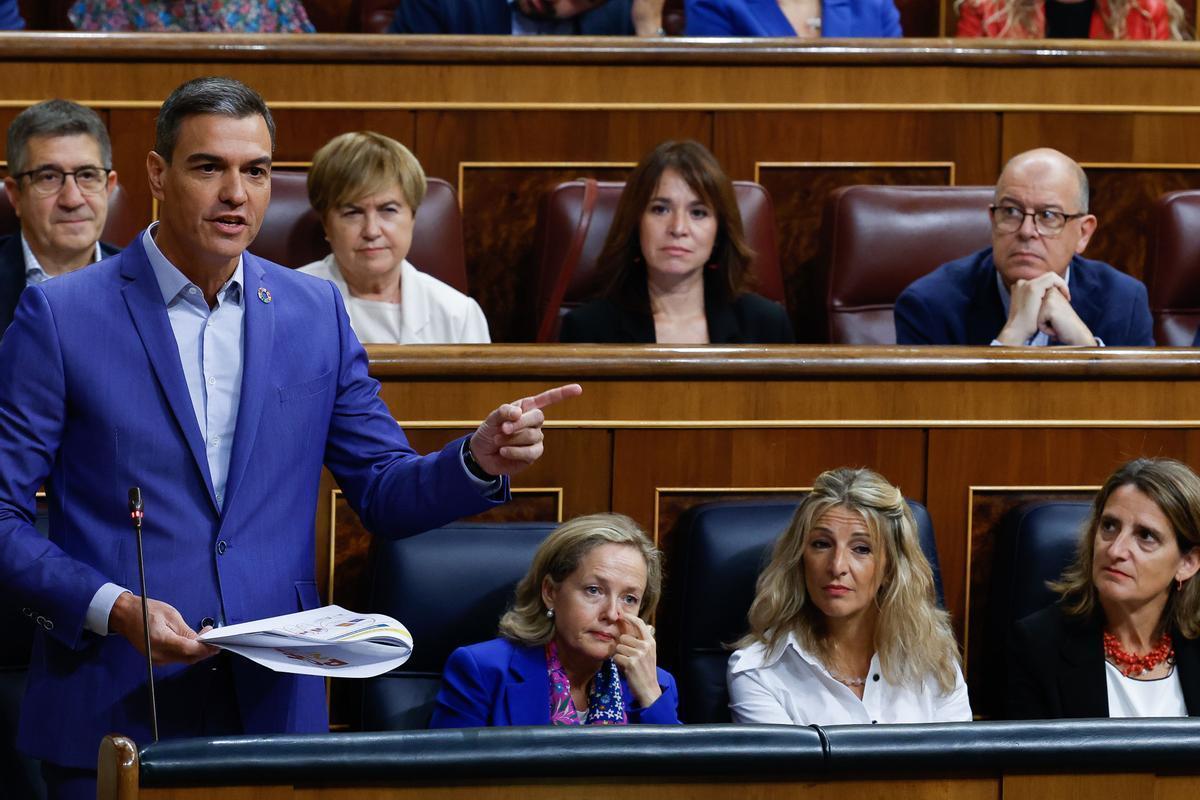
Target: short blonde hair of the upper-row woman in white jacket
(353,166)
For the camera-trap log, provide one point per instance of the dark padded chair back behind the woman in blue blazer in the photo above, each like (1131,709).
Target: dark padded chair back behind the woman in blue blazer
(449,587)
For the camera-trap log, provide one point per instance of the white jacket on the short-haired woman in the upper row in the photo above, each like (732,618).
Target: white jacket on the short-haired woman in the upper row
(429,312)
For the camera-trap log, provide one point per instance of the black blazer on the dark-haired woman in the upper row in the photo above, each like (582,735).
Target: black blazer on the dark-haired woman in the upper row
(749,320)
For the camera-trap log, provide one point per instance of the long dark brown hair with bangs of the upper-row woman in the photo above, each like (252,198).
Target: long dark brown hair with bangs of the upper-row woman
(621,262)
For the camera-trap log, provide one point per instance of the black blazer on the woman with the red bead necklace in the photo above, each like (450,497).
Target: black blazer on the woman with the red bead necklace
(1057,669)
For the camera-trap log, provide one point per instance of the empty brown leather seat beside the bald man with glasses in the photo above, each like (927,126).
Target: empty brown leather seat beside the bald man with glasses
(877,240)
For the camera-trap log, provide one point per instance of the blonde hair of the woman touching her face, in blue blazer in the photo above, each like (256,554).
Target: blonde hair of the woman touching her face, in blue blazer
(560,556)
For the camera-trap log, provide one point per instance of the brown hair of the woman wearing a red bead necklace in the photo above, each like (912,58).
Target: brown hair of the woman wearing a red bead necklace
(1175,490)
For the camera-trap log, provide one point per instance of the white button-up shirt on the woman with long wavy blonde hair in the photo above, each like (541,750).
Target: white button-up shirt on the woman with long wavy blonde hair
(794,688)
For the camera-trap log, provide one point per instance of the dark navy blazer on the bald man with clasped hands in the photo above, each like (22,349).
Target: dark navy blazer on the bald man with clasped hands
(959,304)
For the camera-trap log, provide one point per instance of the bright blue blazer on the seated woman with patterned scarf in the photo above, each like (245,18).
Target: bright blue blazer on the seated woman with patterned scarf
(501,683)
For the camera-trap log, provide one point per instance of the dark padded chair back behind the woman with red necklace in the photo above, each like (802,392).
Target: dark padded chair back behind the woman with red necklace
(1034,545)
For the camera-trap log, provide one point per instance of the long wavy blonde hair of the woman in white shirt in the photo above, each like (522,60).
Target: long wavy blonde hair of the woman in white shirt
(913,636)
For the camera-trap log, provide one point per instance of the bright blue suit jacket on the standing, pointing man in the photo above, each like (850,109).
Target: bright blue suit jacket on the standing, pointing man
(93,401)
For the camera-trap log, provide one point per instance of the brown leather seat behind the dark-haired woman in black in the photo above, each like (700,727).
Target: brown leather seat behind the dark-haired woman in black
(574,220)
